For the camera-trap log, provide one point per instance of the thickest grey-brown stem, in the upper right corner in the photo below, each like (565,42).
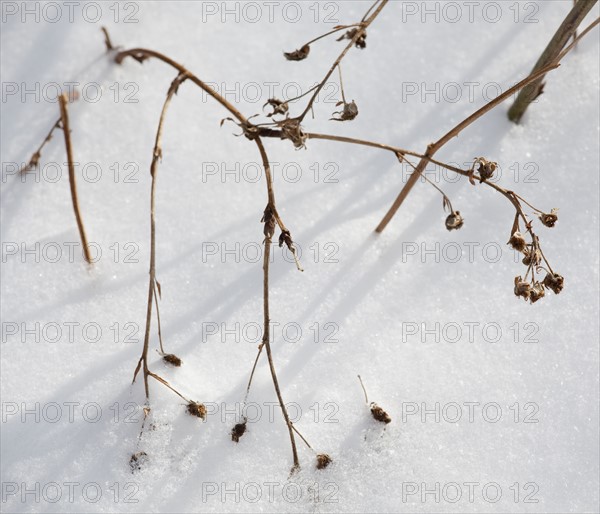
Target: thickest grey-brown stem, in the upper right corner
(550,55)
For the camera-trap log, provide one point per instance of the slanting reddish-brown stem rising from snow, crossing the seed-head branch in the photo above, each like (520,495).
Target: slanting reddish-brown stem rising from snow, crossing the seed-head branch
(434,147)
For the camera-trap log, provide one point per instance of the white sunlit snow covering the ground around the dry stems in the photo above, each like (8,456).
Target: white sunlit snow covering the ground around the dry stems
(524,378)
